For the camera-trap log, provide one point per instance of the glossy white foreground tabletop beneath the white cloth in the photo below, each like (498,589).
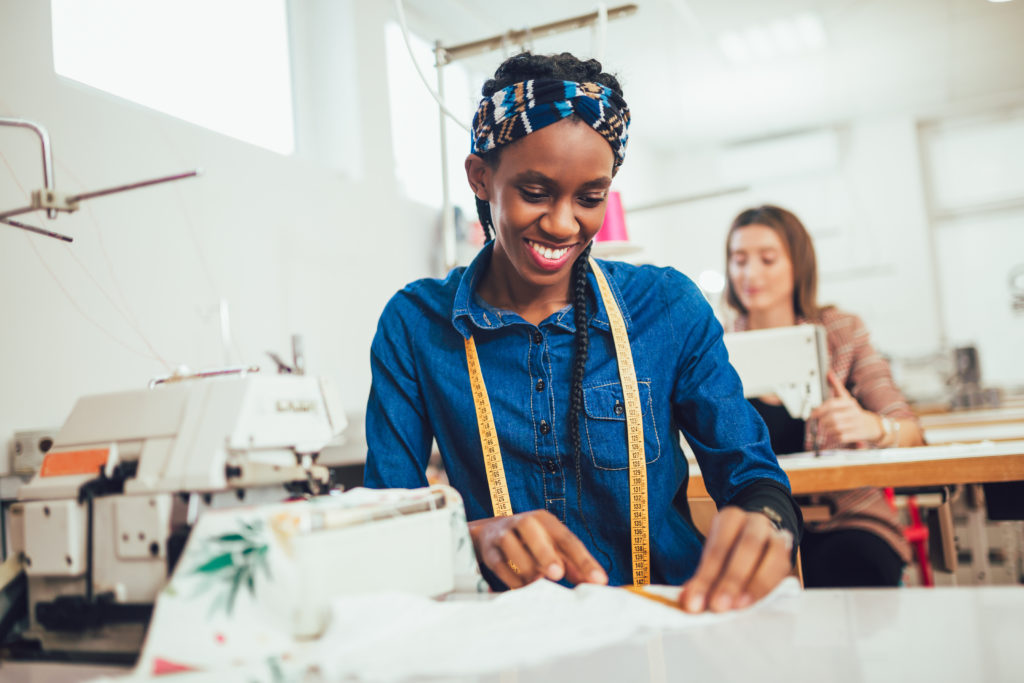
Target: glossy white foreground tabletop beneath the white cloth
(959,635)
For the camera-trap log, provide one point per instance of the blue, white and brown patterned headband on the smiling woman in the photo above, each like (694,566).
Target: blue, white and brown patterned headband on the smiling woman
(523,108)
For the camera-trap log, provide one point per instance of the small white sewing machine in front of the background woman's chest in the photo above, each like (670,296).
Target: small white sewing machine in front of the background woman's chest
(791,363)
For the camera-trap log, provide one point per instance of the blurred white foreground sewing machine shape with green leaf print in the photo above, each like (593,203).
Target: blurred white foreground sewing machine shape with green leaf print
(254,585)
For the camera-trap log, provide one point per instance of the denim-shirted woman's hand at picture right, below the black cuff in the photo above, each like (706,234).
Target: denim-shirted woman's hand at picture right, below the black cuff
(744,560)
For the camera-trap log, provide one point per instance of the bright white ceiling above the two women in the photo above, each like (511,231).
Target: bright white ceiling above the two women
(881,57)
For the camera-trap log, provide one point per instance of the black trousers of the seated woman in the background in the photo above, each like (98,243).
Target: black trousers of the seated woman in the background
(848,559)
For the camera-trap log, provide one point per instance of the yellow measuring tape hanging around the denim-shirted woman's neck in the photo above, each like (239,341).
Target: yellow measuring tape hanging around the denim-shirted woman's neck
(639,535)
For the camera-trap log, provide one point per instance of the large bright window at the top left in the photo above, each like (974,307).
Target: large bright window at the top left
(223,65)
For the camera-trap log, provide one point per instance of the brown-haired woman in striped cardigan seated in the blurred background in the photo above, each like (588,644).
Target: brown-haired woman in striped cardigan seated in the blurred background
(774,283)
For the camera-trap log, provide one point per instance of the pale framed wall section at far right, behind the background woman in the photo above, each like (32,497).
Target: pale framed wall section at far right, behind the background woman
(977,197)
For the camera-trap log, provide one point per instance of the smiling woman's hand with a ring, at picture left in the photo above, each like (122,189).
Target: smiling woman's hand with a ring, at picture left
(526,547)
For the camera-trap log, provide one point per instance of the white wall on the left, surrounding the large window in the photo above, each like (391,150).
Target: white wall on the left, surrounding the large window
(312,246)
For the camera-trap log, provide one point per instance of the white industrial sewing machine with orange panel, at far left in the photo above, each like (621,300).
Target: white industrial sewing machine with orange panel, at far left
(100,528)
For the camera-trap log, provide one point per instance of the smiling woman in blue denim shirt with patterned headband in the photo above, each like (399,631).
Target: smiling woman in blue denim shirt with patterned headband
(531,379)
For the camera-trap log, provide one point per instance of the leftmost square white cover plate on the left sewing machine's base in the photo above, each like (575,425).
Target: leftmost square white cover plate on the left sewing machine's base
(55,538)
